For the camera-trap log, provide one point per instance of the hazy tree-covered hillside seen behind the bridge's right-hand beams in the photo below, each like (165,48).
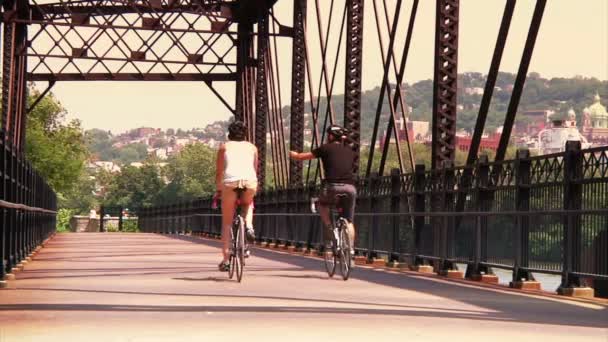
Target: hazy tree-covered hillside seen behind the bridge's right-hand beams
(558,94)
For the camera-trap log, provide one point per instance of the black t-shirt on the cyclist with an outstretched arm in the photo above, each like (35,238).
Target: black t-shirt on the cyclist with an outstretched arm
(338,162)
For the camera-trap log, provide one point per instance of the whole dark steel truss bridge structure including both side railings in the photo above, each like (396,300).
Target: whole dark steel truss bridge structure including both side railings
(532,214)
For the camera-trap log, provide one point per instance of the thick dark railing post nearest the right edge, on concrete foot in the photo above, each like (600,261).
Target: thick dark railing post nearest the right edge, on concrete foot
(573,198)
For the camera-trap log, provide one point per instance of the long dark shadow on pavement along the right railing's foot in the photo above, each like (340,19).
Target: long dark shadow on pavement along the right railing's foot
(507,306)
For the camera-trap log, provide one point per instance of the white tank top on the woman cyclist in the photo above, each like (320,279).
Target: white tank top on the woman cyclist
(239,158)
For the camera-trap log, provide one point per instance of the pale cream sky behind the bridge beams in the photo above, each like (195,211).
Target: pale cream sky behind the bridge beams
(573,40)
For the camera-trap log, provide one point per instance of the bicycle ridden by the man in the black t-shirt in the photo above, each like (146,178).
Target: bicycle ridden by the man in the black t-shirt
(340,249)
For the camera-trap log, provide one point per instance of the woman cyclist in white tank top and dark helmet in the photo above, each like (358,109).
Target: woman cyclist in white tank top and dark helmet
(236,166)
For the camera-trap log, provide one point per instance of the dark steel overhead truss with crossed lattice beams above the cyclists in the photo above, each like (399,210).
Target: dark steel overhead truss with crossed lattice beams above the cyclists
(236,41)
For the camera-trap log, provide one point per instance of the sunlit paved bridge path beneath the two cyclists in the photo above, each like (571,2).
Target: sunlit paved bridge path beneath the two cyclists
(142,287)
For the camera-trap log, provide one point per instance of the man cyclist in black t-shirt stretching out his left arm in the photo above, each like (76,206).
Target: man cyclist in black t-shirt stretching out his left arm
(338,161)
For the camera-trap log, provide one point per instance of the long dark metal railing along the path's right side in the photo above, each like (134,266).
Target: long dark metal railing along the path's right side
(546,214)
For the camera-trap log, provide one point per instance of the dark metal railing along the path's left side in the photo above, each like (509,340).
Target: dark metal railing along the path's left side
(27,208)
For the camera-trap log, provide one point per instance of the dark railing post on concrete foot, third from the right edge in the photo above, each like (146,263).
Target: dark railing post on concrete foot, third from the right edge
(477,271)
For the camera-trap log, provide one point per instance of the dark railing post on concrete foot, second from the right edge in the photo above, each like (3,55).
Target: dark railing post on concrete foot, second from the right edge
(522,277)
